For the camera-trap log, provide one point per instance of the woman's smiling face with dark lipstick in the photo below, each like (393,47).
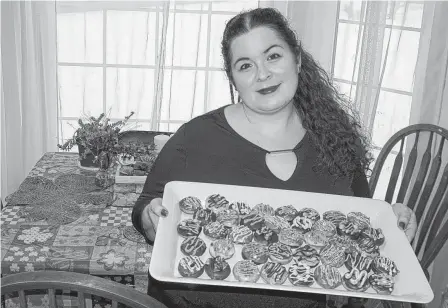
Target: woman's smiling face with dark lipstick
(264,70)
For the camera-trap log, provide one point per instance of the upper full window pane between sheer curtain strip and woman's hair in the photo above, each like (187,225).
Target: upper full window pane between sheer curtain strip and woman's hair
(190,39)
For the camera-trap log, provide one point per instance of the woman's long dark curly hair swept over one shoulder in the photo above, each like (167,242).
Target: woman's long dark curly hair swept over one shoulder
(327,115)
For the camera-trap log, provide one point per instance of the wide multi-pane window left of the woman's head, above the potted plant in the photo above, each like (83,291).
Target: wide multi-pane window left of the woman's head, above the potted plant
(107,55)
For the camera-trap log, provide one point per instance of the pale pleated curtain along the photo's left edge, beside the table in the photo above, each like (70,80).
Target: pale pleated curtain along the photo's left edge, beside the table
(29,108)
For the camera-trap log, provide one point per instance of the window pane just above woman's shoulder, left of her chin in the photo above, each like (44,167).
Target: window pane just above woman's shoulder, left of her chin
(183,94)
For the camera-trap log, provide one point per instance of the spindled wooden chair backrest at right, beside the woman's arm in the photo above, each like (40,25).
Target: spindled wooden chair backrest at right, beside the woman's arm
(425,184)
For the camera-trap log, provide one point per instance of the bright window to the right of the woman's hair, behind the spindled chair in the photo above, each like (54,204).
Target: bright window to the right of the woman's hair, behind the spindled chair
(403,25)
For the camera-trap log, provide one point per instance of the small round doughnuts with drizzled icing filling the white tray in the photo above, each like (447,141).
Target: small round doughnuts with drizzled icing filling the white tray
(275,238)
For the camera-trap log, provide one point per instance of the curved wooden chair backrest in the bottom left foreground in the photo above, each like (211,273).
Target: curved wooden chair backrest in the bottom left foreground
(84,284)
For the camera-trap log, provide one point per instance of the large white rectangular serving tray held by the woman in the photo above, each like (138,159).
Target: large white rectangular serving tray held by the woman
(411,284)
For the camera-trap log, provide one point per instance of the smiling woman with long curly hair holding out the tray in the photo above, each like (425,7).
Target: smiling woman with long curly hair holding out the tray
(287,131)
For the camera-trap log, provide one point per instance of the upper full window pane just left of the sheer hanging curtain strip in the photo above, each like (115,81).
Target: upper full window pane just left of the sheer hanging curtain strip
(131,37)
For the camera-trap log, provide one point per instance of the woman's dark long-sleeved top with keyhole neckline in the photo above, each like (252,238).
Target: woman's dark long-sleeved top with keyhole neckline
(207,149)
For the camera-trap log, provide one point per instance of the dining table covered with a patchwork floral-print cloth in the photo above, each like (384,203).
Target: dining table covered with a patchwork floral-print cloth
(59,219)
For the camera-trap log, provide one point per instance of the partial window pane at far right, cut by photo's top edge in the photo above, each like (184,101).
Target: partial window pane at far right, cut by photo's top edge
(412,18)
